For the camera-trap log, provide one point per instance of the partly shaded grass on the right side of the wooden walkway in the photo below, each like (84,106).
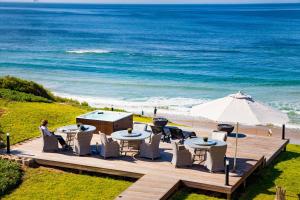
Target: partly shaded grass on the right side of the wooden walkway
(284,172)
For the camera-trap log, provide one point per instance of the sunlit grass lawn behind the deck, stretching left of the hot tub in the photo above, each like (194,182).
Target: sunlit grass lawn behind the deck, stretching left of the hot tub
(21,119)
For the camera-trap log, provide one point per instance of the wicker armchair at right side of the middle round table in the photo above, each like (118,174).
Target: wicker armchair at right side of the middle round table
(151,149)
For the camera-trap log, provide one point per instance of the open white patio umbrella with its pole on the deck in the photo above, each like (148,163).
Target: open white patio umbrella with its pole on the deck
(239,108)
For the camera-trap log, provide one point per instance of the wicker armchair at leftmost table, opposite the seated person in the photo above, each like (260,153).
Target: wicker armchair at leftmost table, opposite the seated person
(82,143)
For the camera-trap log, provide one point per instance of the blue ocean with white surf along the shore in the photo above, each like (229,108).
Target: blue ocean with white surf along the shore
(170,56)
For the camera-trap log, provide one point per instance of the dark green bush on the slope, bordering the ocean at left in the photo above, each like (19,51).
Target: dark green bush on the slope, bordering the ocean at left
(29,87)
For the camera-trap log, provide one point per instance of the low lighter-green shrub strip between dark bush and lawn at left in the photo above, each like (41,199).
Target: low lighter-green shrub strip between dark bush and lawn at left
(21,96)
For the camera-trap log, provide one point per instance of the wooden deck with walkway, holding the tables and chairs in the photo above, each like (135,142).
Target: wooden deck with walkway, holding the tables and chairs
(158,179)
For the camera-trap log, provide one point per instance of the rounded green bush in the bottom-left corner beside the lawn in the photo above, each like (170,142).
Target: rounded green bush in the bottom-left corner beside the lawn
(10,176)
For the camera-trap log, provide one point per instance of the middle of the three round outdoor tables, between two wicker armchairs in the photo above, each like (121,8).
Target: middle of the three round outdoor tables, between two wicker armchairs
(125,138)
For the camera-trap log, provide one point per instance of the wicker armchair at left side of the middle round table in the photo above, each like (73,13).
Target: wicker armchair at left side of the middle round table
(109,148)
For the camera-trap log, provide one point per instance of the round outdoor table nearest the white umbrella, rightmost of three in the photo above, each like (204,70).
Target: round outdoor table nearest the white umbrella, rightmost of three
(200,147)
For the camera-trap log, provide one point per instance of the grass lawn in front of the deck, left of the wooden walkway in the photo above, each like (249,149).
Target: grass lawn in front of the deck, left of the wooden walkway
(44,183)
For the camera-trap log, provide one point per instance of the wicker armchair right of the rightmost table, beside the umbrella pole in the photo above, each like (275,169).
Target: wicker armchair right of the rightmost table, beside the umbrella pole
(215,158)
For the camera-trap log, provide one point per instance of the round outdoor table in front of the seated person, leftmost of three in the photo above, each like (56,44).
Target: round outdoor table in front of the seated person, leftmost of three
(71,130)
